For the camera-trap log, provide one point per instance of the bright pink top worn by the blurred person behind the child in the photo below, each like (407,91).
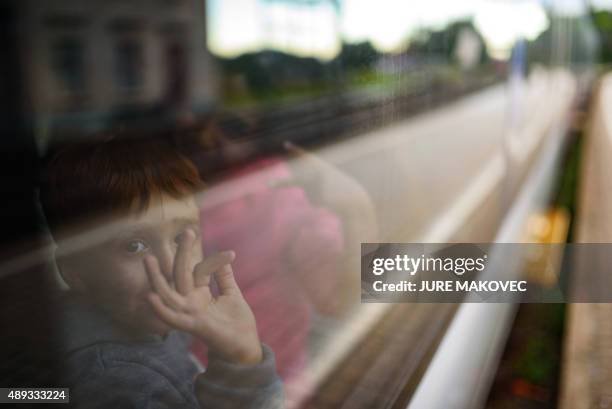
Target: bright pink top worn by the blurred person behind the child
(287,253)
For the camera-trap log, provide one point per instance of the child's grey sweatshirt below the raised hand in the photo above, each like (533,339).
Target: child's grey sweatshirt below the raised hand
(106,367)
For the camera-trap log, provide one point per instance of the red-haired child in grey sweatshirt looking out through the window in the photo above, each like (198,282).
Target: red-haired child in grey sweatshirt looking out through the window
(136,277)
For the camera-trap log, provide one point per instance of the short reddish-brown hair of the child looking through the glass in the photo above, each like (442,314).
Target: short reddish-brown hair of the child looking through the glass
(86,180)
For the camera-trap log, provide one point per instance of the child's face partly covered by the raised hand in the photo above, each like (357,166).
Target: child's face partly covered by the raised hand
(113,273)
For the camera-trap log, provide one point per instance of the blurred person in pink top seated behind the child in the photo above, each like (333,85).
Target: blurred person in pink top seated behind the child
(295,227)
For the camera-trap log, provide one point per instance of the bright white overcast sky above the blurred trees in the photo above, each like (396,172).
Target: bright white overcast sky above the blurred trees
(316,28)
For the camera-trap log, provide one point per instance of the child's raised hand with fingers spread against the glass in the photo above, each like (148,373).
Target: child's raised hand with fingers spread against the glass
(225,323)
